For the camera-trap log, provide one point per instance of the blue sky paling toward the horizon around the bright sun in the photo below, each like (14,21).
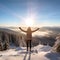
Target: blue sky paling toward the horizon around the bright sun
(44,12)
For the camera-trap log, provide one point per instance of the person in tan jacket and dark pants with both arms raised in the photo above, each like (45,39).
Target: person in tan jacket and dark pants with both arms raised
(28,36)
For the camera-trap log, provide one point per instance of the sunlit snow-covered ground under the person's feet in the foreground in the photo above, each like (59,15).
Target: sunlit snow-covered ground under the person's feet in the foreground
(41,52)
